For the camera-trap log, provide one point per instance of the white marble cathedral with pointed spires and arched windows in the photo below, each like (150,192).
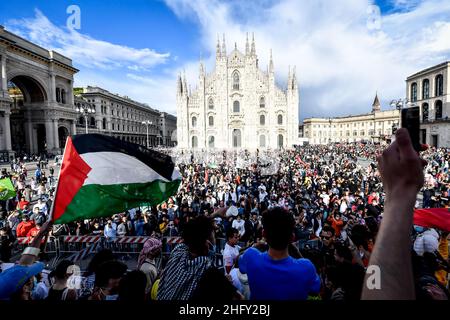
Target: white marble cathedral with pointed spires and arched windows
(237,105)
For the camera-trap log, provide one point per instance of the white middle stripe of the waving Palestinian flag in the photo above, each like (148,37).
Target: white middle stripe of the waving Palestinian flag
(109,168)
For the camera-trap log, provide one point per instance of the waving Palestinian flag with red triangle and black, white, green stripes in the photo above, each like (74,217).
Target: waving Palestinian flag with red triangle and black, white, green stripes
(101,176)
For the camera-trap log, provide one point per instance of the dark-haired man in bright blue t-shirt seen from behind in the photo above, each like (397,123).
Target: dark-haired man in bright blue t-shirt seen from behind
(274,275)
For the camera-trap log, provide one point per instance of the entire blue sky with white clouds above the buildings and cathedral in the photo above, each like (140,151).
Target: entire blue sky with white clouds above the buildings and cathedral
(344,52)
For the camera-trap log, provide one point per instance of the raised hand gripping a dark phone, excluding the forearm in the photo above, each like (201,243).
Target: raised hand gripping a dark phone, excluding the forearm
(400,166)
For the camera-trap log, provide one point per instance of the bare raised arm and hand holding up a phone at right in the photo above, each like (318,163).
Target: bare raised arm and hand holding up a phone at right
(401,171)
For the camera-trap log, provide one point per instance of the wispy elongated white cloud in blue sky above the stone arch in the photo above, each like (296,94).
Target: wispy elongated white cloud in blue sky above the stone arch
(83,49)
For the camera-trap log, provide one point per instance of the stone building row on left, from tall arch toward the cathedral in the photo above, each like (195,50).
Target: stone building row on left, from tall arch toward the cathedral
(38,109)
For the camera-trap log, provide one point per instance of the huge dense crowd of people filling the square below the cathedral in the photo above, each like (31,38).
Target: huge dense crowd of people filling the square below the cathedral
(316,210)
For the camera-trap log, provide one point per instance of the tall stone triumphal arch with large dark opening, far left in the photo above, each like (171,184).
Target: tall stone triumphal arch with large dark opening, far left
(36,97)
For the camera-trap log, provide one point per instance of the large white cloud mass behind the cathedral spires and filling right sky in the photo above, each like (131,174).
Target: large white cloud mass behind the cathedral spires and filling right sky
(340,63)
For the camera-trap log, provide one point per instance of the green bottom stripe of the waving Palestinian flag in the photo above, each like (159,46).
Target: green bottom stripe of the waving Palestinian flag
(94,201)
